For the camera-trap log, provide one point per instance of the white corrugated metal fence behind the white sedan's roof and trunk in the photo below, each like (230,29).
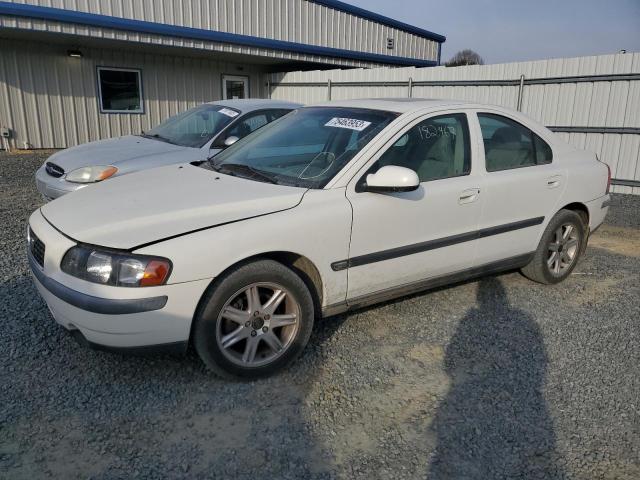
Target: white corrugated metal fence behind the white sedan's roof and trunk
(613,104)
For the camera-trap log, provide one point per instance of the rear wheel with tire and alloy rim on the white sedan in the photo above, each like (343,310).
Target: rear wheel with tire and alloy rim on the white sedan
(547,270)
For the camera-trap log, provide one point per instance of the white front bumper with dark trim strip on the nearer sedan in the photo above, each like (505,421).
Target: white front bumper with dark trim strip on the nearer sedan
(112,317)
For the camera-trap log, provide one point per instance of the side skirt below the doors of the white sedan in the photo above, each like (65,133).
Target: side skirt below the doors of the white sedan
(410,288)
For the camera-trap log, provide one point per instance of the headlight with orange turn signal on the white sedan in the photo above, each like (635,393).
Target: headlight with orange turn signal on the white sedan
(115,268)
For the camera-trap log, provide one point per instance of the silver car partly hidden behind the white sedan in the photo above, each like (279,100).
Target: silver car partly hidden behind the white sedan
(196,134)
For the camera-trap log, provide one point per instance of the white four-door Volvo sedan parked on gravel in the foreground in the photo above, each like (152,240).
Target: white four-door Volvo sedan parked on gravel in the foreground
(330,208)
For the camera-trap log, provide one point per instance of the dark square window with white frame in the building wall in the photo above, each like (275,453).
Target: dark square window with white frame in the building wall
(119,90)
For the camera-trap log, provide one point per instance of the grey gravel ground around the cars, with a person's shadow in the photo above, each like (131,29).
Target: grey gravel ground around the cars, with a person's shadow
(498,378)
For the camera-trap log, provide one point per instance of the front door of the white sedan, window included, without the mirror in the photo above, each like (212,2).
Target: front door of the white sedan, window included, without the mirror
(399,239)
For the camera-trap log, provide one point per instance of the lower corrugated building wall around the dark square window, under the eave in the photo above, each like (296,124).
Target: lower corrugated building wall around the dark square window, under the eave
(50,100)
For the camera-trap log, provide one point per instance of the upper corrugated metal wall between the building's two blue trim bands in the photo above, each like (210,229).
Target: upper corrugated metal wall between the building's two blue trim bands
(298,21)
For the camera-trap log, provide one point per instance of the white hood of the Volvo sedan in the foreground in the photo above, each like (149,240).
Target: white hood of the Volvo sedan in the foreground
(143,207)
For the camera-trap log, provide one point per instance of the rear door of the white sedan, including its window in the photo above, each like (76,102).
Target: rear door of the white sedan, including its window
(522,185)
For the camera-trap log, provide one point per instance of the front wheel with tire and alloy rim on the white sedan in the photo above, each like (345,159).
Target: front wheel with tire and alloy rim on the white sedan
(237,331)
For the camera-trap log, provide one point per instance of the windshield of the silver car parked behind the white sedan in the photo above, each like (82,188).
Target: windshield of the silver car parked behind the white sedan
(194,127)
